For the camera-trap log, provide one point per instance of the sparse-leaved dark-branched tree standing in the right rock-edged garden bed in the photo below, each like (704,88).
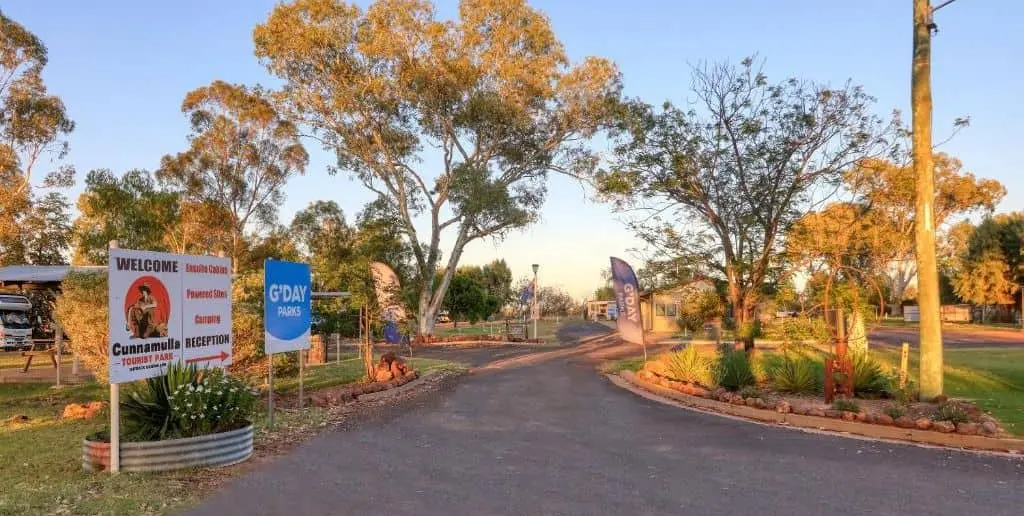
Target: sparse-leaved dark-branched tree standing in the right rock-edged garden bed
(722,183)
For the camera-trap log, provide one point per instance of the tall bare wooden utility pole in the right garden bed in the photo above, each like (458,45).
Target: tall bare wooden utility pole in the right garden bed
(928,276)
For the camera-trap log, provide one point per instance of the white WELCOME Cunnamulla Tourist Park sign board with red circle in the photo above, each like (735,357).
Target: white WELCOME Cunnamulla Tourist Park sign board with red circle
(153,325)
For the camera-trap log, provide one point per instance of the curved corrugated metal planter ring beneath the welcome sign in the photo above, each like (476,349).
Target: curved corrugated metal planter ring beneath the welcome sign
(206,451)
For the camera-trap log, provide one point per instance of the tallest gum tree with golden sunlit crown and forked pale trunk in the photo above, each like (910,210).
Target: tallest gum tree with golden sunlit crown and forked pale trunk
(490,98)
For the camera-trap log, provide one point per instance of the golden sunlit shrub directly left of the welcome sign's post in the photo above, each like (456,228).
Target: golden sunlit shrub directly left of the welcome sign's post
(82,313)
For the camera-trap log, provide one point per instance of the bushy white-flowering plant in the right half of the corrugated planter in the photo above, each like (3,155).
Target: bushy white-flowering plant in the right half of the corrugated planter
(215,403)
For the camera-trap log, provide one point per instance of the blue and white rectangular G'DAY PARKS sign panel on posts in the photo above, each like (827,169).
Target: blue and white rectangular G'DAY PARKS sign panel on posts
(287,307)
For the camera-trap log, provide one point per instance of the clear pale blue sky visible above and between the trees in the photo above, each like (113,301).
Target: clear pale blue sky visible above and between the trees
(123,68)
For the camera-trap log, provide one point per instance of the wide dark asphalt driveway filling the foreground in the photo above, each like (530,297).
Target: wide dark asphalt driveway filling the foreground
(556,438)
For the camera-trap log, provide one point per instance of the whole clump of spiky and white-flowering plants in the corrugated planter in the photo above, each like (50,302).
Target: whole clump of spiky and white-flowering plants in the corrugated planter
(186,403)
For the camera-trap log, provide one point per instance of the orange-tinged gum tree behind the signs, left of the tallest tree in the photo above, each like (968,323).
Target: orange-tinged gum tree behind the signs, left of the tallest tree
(241,156)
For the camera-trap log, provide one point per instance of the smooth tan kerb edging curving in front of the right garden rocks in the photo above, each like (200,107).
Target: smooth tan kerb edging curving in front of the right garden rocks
(838,426)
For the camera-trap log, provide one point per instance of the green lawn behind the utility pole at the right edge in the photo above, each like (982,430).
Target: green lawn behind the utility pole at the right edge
(993,378)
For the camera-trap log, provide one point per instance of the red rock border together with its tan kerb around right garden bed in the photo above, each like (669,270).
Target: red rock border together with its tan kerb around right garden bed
(965,437)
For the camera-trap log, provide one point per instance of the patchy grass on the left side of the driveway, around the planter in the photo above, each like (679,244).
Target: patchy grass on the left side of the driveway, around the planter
(41,460)
